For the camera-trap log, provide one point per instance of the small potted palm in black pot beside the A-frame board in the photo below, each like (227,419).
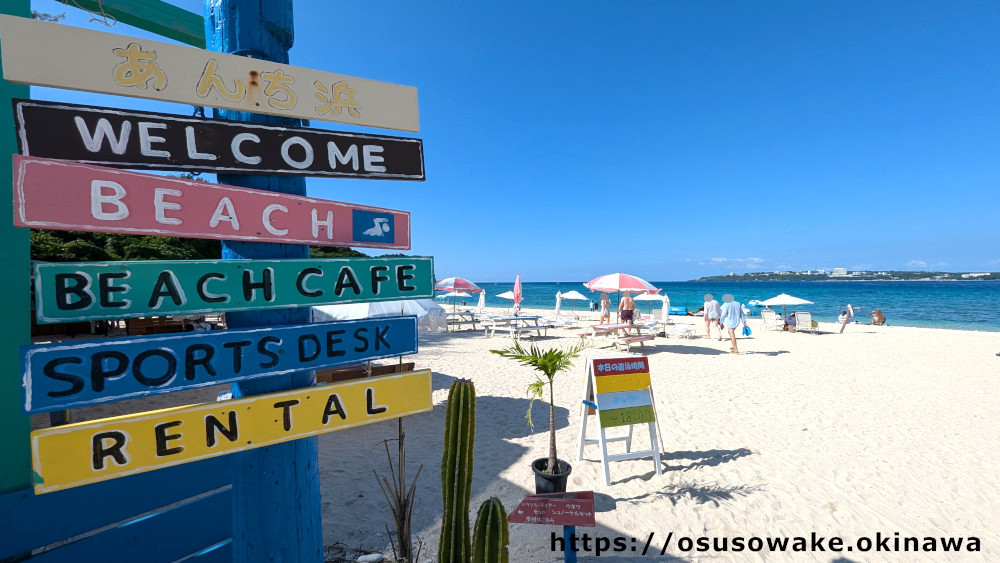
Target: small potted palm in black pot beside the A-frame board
(551,473)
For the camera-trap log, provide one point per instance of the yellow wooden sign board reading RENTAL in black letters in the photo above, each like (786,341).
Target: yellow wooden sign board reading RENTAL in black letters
(78,454)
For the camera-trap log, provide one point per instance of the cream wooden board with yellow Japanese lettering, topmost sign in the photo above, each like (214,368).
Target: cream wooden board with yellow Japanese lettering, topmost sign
(60,56)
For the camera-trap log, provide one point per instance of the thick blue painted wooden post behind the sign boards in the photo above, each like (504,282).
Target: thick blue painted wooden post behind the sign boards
(276,499)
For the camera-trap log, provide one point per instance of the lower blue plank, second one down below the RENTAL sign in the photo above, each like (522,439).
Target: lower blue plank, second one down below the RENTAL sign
(161,537)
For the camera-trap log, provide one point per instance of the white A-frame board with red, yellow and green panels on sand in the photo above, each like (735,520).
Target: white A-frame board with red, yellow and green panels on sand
(618,389)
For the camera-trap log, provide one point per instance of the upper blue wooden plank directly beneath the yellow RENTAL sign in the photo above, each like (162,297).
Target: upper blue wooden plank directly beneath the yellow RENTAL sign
(31,521)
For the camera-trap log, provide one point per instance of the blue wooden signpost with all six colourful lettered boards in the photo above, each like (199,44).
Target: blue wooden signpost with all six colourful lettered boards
(275,509)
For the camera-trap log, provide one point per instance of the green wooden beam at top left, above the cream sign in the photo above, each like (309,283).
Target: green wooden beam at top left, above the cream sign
(155,16)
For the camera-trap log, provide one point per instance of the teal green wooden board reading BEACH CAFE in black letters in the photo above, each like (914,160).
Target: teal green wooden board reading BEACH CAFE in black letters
(104,290)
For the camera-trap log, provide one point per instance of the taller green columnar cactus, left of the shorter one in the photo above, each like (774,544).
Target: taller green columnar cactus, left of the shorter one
(456,472)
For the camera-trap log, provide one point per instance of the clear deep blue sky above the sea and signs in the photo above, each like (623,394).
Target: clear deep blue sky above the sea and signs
(674,139)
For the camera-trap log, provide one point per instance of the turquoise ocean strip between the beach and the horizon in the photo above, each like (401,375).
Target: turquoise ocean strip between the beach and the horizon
(956,305)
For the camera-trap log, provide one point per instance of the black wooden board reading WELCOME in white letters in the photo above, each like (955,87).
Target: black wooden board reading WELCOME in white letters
(154,141)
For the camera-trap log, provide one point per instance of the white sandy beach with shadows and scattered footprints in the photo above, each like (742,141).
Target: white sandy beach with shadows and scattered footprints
(877,430)
